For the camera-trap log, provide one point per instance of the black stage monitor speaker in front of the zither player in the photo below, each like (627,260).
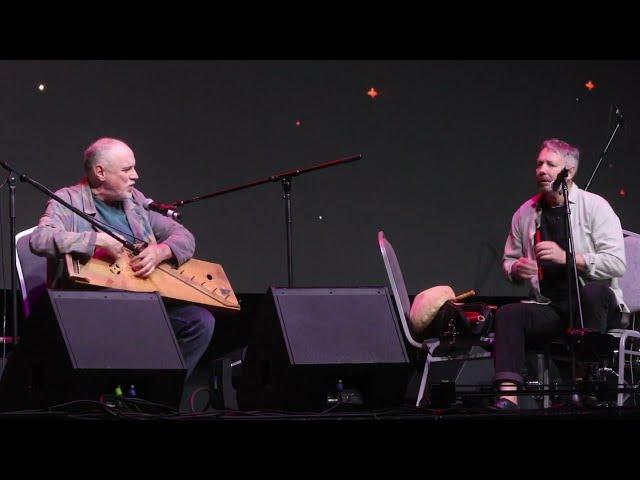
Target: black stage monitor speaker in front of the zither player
(82,345)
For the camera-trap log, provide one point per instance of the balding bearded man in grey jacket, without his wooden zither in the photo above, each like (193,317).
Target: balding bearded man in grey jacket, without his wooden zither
(107,193)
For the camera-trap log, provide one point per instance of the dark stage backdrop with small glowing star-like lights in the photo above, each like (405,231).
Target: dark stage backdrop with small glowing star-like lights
(449,147)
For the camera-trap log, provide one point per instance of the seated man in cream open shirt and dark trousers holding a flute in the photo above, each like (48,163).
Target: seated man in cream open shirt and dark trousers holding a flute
(535,252)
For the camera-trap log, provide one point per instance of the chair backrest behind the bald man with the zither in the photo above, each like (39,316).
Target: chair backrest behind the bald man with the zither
(32,272)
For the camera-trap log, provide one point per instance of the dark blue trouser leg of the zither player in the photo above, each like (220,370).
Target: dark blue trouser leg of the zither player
(193,326)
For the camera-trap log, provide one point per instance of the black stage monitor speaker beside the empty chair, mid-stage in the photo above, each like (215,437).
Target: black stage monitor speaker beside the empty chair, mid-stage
(317,347)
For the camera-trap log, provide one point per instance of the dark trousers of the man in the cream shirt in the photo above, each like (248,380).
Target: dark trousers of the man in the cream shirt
(518,325)
